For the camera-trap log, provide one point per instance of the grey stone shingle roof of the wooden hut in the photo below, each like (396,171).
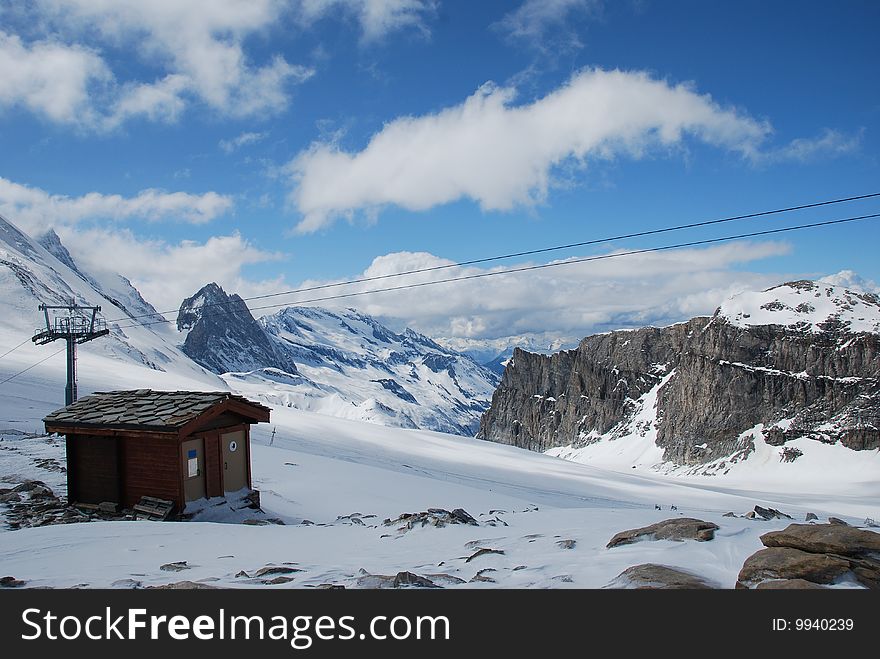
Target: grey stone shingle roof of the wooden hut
(155,410)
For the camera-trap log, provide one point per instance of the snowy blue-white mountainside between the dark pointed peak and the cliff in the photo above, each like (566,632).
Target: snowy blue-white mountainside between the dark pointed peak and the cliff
(351,366)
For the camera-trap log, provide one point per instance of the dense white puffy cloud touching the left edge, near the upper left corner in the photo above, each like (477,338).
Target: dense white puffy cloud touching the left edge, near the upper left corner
(50,78)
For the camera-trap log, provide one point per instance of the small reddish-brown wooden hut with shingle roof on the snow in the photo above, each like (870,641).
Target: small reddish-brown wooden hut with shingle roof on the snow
(180,446)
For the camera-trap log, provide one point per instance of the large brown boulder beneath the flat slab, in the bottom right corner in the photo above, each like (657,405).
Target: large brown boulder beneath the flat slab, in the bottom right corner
(788,563)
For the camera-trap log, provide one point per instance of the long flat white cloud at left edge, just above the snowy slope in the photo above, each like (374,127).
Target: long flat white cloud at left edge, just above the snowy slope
(36,210)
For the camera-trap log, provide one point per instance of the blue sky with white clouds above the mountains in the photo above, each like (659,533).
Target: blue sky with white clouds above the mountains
(268,144)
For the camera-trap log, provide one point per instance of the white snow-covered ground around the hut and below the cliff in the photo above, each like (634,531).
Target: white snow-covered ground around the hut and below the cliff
(322,469)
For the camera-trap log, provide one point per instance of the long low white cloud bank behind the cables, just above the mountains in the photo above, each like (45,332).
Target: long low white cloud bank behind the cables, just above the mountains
(570,300)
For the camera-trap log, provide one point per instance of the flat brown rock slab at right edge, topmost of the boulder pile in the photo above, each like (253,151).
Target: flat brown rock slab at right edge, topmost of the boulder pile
(825,539)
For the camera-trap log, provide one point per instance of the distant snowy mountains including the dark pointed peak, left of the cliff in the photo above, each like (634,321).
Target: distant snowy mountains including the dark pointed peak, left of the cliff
(341,363)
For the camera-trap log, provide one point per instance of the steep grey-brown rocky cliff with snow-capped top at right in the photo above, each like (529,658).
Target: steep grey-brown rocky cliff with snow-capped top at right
(801,359)
